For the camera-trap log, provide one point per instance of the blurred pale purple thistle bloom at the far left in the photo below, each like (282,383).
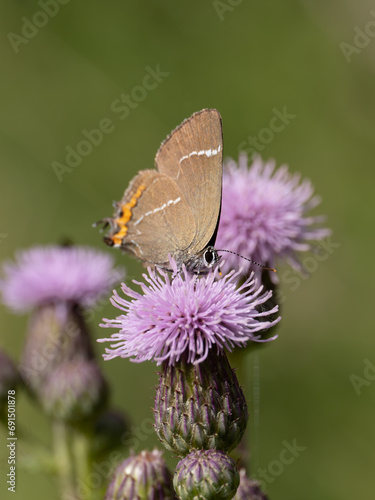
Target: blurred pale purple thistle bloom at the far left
(48,274)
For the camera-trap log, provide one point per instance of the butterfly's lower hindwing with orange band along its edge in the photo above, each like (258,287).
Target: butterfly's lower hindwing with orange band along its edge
(149,219)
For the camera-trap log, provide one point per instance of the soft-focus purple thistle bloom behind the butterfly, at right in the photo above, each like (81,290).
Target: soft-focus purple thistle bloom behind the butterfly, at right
(263,215)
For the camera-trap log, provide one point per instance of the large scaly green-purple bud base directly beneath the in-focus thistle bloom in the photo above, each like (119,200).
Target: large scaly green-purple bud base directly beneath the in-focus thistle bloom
(200,406)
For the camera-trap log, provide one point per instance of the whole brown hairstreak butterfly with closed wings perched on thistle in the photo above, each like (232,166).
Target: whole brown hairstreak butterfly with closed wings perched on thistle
(175,209)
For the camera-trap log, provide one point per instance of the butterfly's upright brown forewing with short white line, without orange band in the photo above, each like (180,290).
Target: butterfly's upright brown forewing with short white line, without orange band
(192,156)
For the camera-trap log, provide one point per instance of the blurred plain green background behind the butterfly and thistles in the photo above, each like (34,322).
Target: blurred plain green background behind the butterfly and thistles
(245,60)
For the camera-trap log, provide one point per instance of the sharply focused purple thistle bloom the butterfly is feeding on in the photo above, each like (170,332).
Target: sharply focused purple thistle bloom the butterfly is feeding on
(186,315)
